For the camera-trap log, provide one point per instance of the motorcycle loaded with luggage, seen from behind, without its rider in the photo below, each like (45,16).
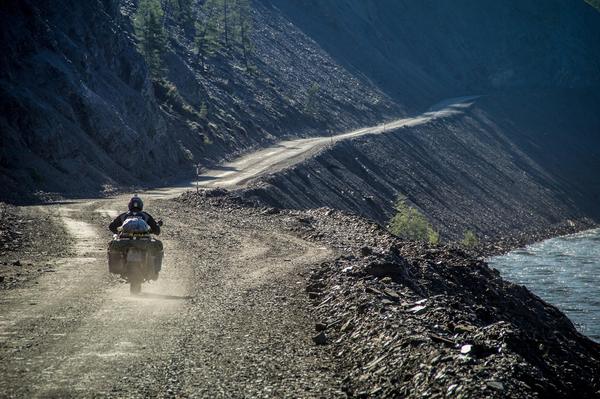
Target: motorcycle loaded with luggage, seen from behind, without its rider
(134,254)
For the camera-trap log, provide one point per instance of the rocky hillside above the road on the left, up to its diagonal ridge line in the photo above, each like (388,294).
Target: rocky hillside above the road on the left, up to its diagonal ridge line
(79,112)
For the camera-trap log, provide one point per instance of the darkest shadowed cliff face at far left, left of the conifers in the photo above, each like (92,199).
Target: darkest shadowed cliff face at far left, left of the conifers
(77,107)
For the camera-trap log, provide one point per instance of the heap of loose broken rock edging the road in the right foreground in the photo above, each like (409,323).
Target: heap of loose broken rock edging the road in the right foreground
(405,319)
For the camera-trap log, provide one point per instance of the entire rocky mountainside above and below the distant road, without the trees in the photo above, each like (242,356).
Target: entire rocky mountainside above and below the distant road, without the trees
(80,113)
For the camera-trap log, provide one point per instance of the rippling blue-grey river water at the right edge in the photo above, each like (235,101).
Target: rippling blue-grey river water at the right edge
(565,272)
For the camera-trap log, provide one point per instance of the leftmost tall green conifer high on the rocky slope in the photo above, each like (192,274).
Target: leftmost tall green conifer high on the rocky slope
(151,35)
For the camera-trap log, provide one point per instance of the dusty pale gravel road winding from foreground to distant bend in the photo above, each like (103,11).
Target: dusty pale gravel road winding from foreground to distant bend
(227,318)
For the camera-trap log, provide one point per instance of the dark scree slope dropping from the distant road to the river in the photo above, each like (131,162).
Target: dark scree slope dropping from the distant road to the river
(512,163)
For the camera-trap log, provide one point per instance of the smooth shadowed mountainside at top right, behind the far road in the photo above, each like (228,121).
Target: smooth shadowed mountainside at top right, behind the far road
(422,51)
